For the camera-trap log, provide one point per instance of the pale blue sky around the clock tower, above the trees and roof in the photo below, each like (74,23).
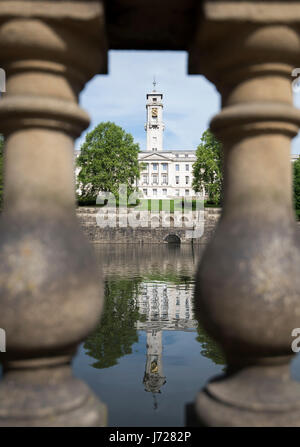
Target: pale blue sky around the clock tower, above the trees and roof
(189,101)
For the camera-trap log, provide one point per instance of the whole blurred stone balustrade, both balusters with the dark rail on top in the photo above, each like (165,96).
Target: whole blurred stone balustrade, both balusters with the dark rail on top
(247,293)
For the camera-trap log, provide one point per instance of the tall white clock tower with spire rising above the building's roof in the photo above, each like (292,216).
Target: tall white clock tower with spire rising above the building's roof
(154,126)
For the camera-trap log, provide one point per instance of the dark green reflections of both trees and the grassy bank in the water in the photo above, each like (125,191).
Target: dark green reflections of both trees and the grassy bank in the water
(116,332)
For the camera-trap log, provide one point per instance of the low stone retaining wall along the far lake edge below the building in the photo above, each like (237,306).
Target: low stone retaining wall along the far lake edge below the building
(160,232)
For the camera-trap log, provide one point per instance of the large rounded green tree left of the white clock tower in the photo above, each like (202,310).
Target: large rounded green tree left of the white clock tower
(108,158)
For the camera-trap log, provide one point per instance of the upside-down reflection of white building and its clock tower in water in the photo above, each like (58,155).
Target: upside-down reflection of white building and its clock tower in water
(164,306)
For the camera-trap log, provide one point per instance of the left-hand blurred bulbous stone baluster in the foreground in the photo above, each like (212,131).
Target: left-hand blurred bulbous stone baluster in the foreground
(50,294)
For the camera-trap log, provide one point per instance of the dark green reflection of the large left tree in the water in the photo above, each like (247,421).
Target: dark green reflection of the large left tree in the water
(116,331)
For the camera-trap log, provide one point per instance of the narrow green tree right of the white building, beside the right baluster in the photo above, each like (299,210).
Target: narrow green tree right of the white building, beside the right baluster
(207,170)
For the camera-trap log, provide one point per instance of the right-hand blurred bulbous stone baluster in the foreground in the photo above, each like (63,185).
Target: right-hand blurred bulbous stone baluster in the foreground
(248,283)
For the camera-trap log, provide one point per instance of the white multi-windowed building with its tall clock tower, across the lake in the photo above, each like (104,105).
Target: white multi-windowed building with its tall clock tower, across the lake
(167,174)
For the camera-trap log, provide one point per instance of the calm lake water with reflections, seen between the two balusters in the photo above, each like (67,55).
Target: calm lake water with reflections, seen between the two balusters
(148,356)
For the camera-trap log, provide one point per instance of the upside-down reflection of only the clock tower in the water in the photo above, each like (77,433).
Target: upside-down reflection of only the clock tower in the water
(153,377)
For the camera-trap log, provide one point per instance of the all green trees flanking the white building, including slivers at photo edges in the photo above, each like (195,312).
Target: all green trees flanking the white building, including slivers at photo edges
(109,158)
